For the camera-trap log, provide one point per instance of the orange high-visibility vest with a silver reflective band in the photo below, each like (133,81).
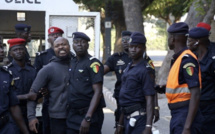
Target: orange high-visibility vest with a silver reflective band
(176,92)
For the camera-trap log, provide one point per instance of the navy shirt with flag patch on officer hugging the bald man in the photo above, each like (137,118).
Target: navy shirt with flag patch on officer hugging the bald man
(84,73)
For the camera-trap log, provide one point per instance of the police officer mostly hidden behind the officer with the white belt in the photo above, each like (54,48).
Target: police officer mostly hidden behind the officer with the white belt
(117,63)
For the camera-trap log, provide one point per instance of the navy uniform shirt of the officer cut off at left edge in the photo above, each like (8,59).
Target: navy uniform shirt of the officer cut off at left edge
(7,95)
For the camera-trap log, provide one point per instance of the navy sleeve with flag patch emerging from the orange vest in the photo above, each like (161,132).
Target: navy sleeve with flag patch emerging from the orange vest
(190,71)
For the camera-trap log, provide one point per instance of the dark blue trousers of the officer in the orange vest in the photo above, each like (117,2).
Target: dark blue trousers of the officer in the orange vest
(179,118)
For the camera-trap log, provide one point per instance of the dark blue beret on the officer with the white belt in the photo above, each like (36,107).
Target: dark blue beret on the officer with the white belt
(137,38)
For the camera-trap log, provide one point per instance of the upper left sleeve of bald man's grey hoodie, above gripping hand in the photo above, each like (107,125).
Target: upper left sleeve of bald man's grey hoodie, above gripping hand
(41,79)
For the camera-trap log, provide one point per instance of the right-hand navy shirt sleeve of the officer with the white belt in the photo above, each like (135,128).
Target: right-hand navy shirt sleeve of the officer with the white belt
(148,84)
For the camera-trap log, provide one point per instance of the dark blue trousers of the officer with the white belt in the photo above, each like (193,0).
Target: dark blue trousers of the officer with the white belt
(139,125)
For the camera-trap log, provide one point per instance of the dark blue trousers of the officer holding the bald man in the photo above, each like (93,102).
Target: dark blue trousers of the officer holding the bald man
(74,121)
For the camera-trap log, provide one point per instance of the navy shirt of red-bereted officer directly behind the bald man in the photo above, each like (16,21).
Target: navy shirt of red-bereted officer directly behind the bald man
(43,58)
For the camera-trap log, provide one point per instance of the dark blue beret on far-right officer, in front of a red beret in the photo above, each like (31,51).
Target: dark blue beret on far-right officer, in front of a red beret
(198,32)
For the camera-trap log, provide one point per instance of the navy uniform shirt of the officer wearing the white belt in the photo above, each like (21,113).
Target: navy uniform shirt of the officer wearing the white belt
(136,84)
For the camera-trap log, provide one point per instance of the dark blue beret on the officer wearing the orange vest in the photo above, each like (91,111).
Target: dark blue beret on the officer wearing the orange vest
(178,28)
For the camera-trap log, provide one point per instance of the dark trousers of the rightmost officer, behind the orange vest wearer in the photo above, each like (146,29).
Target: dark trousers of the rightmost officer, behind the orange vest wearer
(208,112)
